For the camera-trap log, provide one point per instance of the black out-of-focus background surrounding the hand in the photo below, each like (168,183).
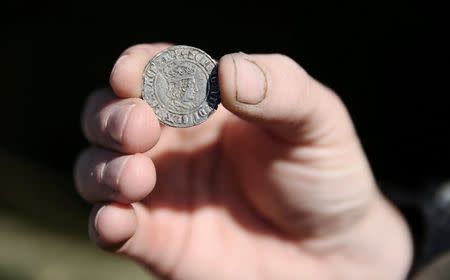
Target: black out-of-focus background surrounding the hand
(389,61)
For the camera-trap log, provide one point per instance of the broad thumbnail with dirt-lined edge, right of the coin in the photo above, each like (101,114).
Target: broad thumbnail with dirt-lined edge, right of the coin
(250,80)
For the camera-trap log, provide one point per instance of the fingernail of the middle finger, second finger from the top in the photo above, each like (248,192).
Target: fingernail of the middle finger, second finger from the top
(117,121)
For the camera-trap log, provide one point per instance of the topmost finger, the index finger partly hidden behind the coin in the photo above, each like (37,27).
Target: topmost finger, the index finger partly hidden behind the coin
(126,76)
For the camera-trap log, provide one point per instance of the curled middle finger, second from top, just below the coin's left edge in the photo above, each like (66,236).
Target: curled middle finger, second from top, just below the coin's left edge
(125,125)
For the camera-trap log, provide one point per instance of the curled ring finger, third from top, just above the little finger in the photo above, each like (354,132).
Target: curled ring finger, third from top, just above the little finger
(102,175)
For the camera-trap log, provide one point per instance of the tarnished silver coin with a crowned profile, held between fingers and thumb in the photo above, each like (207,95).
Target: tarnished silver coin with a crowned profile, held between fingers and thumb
(180,84)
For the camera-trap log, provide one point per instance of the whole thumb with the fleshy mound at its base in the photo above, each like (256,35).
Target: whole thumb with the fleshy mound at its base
(275,93)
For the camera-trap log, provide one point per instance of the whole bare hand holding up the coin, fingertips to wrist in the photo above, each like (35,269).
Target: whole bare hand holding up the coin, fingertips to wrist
(274,185)
